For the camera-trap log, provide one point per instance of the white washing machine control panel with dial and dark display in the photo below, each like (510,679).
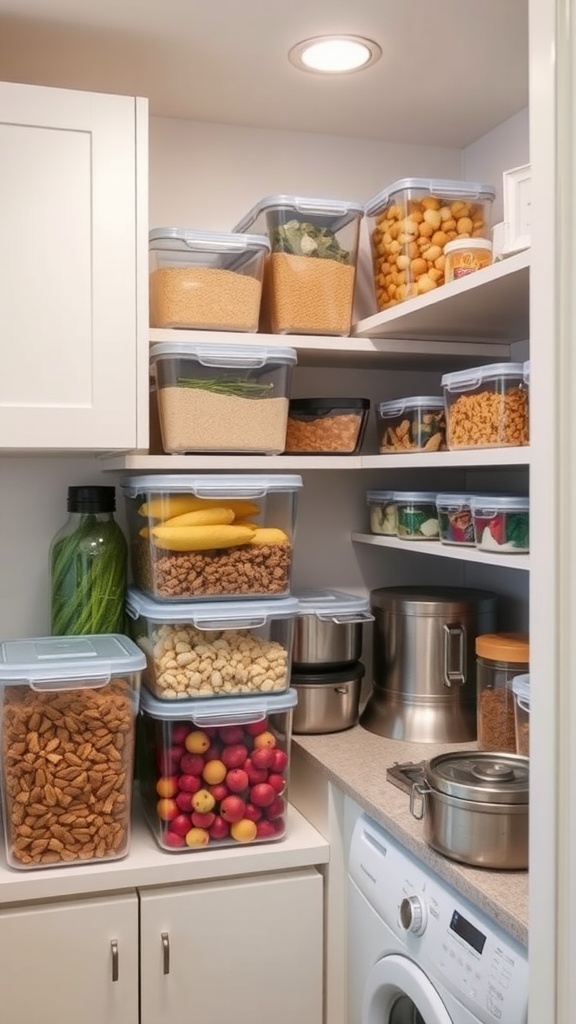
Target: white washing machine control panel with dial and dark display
(452,942)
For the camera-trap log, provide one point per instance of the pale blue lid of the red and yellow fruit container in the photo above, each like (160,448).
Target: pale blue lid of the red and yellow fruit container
(215,712)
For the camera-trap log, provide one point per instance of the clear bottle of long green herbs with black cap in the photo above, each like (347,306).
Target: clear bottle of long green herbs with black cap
(89,567)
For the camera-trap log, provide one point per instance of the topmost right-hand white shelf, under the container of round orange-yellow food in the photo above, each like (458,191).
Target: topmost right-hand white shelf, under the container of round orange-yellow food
(488,307)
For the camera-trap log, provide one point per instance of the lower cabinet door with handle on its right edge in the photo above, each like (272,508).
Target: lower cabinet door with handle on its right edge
(57,964)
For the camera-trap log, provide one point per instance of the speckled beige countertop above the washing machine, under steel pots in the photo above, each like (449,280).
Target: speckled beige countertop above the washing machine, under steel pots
(356,761)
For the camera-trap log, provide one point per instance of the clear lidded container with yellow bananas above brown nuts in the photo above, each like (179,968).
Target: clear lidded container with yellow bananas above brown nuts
(211,536)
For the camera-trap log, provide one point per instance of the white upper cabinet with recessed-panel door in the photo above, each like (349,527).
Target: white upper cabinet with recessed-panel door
(73,209)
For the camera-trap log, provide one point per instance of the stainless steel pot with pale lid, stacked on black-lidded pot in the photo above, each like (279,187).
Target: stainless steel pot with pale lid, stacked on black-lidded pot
(328,630)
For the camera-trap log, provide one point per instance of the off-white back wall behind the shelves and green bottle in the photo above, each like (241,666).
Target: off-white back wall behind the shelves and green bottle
(208,177)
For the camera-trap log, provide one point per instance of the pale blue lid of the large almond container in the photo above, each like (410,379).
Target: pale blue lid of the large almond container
(74,659)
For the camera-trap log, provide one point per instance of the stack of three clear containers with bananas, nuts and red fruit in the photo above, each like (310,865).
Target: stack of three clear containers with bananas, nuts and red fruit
(212,610)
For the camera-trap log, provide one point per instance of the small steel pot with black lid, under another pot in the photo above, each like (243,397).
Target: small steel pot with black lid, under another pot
(328,702)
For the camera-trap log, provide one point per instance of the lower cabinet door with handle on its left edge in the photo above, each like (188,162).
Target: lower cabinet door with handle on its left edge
(248,951)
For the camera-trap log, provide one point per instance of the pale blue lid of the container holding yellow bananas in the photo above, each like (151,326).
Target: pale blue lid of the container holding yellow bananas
(209,486)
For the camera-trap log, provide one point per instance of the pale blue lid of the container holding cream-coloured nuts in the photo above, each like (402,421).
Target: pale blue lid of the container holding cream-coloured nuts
(211,615)
